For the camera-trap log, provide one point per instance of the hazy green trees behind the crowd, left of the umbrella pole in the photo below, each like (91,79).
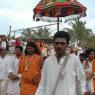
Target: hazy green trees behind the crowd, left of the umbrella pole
(39,33)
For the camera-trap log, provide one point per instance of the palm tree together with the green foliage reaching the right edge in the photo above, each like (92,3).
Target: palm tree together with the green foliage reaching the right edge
(81,34)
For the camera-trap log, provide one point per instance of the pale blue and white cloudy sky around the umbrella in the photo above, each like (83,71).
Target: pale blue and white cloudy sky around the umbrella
(19,14)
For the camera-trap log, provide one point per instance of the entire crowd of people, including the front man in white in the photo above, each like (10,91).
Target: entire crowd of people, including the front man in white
(34,68)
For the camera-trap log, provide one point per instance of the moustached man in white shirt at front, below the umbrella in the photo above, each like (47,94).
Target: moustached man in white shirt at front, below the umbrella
(52,66)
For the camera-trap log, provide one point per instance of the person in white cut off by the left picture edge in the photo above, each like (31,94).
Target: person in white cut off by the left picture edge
(4,62)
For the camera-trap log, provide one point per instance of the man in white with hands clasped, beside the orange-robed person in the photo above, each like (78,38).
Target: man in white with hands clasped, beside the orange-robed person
(13,85)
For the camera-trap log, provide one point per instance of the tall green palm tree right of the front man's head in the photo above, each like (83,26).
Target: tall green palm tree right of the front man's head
(79,31)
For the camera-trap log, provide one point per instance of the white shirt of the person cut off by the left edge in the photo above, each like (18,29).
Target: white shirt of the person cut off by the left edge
(4,62)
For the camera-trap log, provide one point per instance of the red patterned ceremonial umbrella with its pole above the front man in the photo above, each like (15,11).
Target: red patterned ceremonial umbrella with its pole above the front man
(58,8)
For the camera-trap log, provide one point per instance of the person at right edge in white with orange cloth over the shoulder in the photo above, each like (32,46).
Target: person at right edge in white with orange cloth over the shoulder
(89,68)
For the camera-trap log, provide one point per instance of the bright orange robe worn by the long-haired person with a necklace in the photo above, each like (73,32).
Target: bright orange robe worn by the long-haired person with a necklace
(29,68)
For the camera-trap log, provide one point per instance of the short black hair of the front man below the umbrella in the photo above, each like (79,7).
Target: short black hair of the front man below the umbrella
(62,34)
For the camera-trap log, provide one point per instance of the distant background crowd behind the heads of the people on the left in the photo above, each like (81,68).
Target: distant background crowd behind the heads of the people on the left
(10,43)
